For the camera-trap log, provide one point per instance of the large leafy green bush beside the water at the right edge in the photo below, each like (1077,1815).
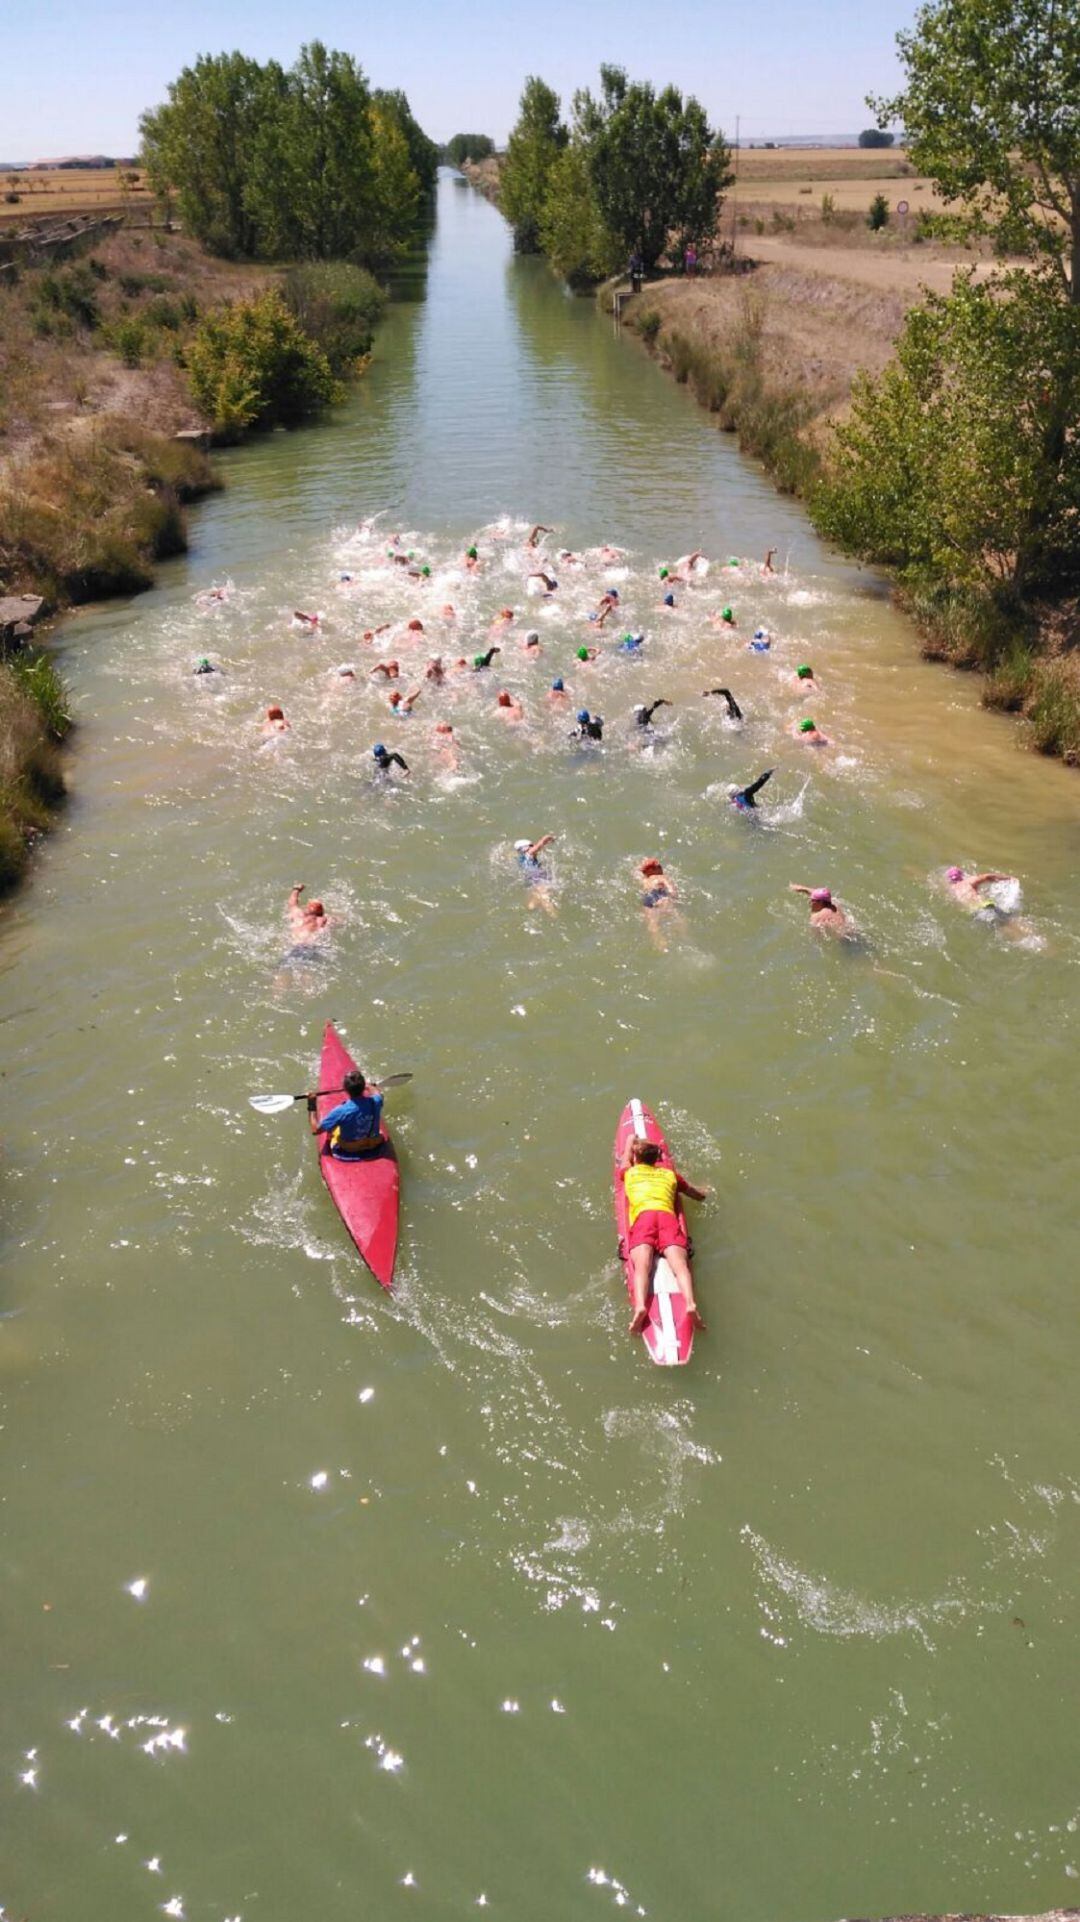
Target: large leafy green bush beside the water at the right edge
(962,462)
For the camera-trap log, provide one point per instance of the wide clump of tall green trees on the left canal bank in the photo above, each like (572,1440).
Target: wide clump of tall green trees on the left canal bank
(307,162)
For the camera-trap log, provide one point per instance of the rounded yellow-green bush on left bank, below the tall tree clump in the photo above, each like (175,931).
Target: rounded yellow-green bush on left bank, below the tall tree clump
(253,366)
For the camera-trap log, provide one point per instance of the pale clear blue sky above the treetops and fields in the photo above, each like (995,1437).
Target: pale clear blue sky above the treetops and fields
(78,76)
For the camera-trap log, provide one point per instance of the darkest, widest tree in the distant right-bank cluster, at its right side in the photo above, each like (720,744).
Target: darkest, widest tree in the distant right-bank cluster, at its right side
(656,166)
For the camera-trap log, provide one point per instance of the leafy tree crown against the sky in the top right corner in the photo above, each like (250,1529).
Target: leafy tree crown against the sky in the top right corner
(991,116)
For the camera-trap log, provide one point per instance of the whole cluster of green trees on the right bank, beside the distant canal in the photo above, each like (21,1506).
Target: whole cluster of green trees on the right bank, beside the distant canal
(635,172)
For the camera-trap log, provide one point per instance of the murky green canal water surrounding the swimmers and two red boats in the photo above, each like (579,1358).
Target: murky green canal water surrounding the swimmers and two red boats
(328,1604)
